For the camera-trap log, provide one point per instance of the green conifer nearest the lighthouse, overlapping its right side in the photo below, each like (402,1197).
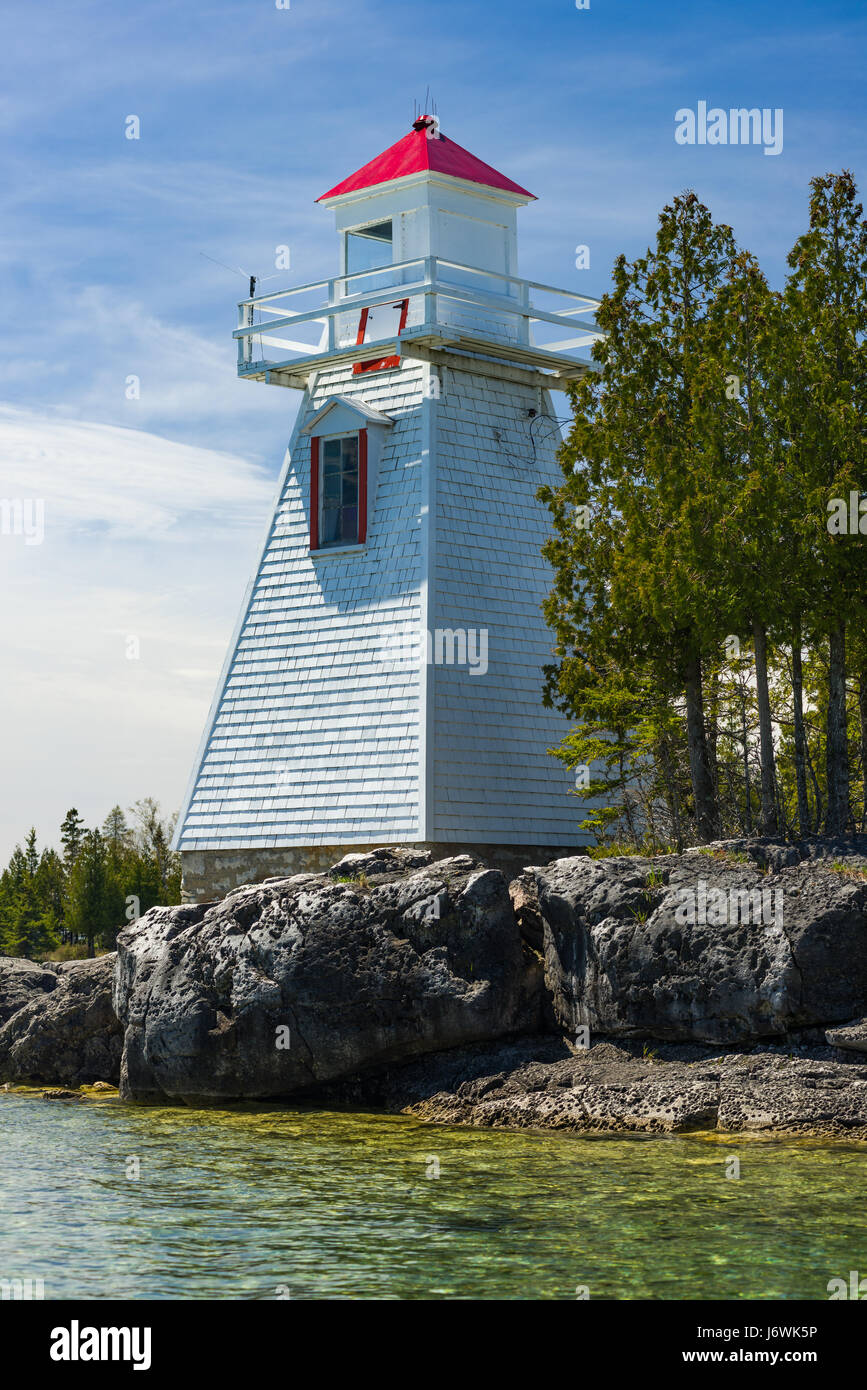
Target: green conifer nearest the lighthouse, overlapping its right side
(636,589)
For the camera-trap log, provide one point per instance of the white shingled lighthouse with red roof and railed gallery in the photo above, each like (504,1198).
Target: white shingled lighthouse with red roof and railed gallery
(384,680)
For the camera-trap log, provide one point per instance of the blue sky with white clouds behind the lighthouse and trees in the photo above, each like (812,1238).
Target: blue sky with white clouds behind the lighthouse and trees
(149,501)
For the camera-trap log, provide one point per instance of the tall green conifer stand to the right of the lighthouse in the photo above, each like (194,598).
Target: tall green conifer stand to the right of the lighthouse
(705,618)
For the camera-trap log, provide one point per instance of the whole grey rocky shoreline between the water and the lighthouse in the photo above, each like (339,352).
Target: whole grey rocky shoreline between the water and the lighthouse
(719,990)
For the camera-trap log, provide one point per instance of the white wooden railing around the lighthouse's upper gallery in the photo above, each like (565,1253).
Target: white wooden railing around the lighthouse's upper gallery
(438,298)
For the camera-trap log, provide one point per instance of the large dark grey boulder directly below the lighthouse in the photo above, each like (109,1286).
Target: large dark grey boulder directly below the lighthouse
(345,976)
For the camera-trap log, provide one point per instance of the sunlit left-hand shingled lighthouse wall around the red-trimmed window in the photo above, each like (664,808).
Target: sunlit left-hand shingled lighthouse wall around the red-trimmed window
(313,739)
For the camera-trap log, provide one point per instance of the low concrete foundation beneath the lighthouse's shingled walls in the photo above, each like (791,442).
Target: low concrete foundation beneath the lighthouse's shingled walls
(212,874)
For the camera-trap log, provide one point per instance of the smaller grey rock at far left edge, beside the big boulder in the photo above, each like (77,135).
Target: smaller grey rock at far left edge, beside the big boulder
(69,1036)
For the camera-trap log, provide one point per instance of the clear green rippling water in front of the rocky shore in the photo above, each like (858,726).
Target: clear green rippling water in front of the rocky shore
(236,1204)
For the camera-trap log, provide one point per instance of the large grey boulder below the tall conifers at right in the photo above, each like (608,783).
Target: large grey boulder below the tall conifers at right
(622,958)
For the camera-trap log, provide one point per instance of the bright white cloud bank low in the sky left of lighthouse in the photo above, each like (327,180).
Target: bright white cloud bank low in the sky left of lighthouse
(144,539)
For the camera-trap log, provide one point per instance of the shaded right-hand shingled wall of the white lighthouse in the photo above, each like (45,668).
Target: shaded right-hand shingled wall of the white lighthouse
(493,778)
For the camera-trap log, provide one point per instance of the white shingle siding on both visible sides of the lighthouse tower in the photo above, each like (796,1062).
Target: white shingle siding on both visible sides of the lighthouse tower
(317,740)
